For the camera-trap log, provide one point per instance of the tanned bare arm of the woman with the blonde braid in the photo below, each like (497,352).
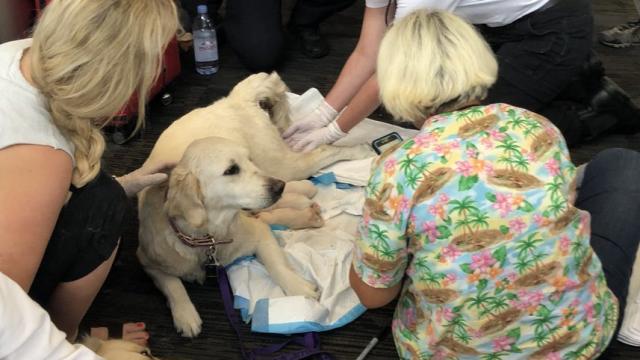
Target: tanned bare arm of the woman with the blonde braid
(34,181)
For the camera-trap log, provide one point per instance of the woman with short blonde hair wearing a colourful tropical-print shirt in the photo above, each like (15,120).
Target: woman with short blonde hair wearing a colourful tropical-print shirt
(473,222)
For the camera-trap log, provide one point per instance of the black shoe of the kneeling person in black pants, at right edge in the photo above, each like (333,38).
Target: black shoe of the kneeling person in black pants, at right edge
(612,99)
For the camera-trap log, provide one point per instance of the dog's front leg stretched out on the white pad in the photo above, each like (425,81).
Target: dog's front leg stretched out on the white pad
(271,255)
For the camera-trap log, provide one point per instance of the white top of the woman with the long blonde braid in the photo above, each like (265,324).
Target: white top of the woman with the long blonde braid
(24,118)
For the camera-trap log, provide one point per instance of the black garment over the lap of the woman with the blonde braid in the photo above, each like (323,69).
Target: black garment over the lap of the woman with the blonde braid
(85,235)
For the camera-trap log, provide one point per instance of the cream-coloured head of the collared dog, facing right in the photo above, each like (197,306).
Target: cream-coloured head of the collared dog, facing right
(216,174)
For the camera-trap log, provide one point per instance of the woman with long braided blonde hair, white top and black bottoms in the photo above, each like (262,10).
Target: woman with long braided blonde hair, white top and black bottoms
(84,62)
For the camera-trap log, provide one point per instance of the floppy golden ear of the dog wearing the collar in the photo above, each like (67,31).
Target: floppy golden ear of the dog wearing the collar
(184,198)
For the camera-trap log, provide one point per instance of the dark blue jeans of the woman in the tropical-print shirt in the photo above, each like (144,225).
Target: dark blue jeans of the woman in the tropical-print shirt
(610,192)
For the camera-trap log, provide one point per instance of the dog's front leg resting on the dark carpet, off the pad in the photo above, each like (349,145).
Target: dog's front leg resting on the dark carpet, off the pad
(185,316)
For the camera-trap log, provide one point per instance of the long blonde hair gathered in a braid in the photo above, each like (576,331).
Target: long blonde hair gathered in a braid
(89,57)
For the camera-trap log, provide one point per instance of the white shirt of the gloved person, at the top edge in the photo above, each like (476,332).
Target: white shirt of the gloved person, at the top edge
(487,12)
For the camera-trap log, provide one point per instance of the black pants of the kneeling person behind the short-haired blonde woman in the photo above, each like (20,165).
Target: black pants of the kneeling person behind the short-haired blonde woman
(539,57)
